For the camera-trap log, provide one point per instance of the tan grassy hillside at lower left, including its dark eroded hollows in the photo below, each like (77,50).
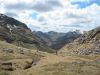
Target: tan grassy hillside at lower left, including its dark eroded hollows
(16,58)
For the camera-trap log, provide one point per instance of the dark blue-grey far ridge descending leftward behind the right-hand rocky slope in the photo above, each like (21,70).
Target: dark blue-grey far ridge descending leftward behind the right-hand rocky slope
(67,38)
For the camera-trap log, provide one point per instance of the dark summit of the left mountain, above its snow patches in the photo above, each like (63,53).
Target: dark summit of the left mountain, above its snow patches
(10,22)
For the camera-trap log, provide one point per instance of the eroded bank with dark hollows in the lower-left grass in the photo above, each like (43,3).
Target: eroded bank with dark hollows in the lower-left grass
(15,64)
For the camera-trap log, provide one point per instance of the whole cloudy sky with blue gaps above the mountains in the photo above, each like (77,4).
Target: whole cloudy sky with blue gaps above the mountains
(54,15)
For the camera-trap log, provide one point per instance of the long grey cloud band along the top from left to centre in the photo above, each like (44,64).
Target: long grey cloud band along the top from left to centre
(37,5)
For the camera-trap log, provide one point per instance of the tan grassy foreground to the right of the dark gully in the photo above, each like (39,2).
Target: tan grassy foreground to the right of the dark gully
(69,65)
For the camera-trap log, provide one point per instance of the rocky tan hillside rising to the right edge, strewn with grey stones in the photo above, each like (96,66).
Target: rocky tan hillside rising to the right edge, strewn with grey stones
(87,44)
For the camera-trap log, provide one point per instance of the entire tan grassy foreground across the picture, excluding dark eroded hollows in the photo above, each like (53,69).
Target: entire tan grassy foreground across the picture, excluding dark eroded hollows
(49,64)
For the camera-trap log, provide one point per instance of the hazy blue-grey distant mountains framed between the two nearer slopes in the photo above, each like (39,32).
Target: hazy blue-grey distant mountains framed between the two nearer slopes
(57,40)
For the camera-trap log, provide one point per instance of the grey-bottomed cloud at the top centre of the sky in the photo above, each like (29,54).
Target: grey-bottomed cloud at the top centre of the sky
(47,5)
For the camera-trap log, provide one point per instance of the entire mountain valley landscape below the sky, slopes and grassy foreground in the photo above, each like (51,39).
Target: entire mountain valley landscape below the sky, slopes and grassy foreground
(23,52)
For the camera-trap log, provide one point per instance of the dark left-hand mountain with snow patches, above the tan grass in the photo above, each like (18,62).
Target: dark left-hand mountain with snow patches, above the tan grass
(16,32)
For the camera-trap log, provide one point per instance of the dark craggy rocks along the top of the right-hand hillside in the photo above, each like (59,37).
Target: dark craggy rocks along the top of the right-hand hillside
(91,36)
